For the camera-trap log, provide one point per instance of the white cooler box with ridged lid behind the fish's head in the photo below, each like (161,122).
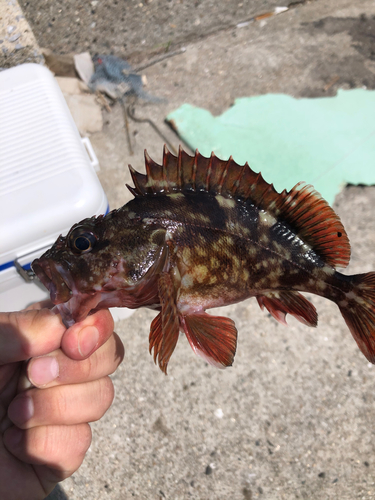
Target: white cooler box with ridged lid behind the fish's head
(47,178)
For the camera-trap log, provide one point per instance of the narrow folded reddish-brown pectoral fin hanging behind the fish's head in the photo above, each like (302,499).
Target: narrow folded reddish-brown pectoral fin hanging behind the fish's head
(164,330)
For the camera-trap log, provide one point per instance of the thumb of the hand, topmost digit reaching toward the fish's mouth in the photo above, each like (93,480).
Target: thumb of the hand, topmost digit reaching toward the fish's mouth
(26,334)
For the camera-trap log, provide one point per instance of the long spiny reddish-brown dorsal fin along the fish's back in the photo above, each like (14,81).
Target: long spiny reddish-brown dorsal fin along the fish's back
(302,207)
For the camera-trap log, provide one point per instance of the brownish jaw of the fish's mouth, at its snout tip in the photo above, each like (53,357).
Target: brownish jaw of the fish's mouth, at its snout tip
(53,278)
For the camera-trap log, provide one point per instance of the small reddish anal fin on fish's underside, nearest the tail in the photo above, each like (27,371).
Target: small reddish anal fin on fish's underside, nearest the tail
(281,303)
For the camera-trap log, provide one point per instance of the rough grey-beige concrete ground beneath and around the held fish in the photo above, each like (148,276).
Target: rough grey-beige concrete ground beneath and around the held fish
(294,417)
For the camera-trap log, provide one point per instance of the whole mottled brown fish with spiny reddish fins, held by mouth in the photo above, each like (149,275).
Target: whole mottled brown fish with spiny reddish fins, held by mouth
(202,233)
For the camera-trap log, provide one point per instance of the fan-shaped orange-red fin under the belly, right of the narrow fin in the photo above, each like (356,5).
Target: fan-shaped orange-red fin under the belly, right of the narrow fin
(213,338)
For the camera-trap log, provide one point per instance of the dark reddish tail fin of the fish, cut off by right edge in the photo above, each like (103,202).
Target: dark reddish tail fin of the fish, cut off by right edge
(359,313)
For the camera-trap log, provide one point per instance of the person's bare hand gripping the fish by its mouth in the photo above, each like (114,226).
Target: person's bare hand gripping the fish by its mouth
(44,430)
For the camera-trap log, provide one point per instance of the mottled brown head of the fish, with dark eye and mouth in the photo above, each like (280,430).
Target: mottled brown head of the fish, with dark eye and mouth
(99,264)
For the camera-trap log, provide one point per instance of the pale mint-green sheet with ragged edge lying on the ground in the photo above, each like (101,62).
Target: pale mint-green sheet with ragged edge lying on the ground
(327,142)
